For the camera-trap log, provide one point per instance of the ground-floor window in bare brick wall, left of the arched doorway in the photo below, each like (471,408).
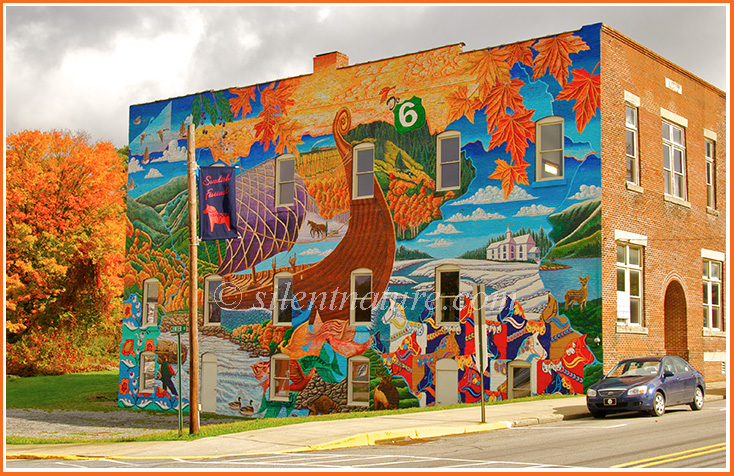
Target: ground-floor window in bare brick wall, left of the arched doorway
(629,284)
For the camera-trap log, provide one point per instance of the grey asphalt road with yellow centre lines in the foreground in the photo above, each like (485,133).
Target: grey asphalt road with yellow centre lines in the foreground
(681,438)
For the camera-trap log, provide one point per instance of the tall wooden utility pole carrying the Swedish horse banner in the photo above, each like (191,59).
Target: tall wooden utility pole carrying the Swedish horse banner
(193,287)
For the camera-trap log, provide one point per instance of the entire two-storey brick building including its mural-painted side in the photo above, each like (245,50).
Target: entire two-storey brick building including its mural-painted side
(368,198)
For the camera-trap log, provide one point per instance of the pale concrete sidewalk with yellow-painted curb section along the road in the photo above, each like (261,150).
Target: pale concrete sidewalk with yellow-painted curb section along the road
(323,435)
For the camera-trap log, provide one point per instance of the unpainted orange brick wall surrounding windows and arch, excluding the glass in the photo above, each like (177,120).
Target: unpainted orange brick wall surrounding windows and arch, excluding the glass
(676,233)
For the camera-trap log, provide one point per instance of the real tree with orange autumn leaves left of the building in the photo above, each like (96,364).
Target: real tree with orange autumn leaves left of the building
(64,217)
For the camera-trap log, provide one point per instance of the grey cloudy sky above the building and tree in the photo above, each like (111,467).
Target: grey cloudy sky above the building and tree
(81,67)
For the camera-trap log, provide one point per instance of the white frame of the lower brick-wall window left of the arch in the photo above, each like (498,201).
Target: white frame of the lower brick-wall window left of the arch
(625,298)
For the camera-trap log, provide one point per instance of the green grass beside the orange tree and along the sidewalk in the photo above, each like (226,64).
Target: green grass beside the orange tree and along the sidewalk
(97,391)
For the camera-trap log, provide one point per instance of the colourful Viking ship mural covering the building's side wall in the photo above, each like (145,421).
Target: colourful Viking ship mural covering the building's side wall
(534,242)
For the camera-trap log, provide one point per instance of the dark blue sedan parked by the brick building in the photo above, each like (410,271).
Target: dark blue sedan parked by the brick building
(647,384)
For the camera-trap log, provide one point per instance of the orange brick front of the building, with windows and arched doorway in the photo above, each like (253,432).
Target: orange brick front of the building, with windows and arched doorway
(678,230)
